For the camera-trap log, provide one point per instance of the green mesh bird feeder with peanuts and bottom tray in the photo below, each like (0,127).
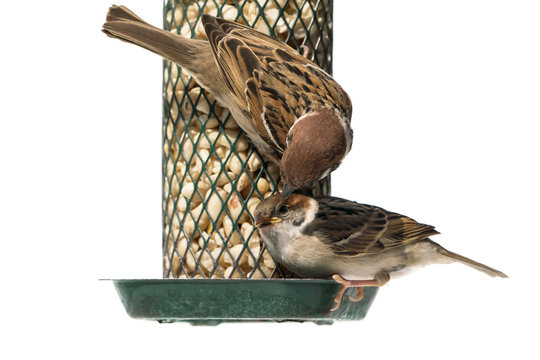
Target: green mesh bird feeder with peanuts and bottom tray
(215,266)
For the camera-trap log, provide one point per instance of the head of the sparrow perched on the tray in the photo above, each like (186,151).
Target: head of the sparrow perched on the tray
(295,211)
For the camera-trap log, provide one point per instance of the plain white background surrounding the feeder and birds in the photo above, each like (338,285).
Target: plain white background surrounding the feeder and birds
(446,105)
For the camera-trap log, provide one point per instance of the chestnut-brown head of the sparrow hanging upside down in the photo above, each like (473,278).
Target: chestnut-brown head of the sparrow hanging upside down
(316,144)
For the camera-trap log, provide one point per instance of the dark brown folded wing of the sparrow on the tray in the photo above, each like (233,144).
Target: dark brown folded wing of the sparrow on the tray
(353,229)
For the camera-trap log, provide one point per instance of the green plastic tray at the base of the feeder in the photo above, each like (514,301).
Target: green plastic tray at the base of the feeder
(212,301)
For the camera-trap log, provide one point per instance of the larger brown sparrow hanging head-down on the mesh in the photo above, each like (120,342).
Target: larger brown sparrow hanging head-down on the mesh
(293,111)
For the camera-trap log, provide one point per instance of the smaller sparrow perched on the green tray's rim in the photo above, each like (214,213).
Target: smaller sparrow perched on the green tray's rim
(358,245)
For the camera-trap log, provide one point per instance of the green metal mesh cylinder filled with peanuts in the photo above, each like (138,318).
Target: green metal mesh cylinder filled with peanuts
(212,177)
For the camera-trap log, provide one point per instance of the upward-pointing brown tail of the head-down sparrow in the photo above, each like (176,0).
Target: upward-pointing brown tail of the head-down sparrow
(194,56)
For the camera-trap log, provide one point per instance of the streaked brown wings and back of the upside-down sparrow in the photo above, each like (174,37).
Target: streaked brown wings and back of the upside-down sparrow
(270,80)
